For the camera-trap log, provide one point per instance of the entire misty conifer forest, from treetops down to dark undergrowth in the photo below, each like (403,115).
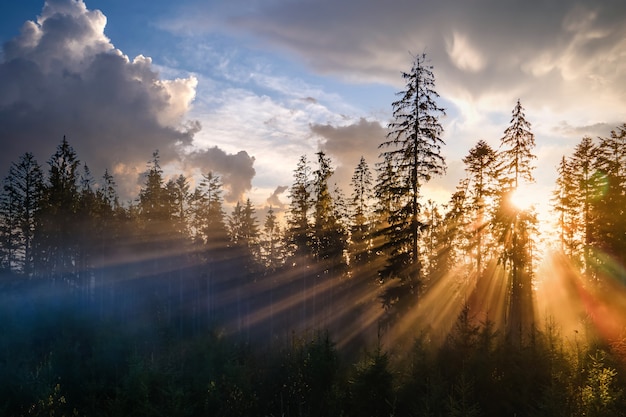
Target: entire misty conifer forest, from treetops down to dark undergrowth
(371,303)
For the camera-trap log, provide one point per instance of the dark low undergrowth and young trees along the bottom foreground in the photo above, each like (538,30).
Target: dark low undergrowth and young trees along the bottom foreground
(61,358)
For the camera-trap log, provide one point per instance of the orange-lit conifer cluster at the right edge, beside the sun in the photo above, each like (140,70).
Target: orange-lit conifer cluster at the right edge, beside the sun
(590,200)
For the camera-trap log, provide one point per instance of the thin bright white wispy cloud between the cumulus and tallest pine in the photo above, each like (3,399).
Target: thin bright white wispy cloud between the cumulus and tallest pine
(268,115)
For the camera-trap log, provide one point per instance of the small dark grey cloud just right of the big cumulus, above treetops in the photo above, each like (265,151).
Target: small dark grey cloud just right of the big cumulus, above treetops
(235,170)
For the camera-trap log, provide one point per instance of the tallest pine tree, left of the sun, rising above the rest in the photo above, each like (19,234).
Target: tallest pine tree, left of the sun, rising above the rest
(413,151)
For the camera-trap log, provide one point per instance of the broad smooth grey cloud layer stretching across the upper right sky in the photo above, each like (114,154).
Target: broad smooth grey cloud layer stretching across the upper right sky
(548,53)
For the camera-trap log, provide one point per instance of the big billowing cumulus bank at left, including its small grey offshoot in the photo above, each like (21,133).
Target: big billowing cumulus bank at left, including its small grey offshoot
(63,76)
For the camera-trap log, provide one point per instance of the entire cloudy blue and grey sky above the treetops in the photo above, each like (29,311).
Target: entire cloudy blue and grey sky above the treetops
(244,88)
